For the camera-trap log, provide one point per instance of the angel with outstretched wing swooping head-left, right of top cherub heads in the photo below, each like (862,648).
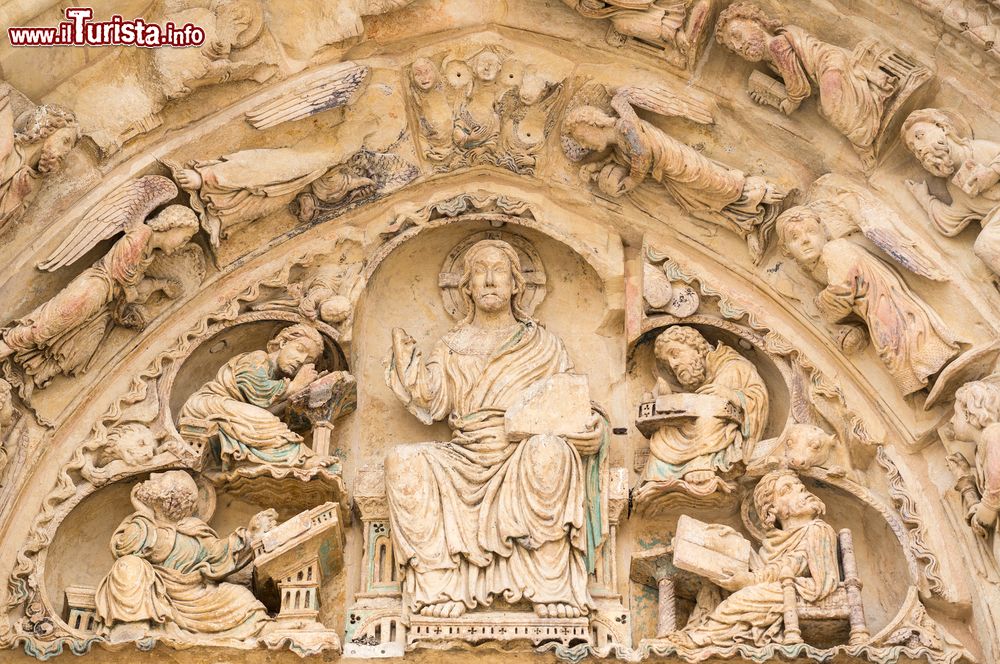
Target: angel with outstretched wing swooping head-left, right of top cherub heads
(630,149)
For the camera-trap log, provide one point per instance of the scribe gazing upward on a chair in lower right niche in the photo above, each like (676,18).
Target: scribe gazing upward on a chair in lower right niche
(798,545)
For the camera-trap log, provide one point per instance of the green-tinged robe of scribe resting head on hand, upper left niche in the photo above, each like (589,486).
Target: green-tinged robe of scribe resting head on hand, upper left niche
(237,400)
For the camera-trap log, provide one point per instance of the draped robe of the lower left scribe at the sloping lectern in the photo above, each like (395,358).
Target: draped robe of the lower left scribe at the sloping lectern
(169,574)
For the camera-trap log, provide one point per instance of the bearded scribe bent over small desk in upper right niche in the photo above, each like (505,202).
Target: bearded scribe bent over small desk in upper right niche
(717,422)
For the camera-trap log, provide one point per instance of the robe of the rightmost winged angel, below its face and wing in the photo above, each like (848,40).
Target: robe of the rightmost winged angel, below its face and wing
(909,338)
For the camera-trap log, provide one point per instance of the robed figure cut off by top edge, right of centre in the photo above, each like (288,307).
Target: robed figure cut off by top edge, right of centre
(675,26)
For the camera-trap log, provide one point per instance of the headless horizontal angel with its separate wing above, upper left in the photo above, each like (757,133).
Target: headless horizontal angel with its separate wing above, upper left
(245,186)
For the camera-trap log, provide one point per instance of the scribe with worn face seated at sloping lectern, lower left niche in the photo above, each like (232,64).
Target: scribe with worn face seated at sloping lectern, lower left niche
(170,565)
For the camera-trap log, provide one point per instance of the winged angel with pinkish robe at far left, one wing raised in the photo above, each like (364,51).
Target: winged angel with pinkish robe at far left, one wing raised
(62,335)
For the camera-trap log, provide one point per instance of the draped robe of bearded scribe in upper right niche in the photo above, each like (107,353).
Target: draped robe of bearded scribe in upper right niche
(708,442)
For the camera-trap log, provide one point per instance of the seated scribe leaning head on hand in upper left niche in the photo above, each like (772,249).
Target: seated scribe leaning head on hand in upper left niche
(236,401)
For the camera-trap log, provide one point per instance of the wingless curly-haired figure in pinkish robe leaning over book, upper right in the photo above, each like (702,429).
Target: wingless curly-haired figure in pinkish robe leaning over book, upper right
(857,89)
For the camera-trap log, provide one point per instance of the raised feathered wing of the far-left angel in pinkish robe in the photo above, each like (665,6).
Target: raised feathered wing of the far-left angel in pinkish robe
(126,206)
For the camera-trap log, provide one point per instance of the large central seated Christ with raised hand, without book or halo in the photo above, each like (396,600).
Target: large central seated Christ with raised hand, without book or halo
(484,516)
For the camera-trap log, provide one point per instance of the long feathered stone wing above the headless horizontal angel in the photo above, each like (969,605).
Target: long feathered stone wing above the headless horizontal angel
(334,88)
